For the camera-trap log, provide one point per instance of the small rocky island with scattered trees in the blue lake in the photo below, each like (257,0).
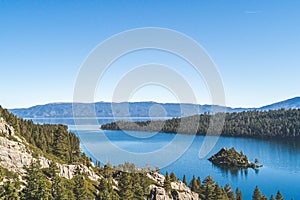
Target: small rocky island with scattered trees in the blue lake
(231,158)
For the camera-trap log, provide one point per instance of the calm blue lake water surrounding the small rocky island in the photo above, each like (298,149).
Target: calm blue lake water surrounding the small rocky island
(280,158)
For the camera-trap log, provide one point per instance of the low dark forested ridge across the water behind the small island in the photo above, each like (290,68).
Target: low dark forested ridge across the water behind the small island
(277,123)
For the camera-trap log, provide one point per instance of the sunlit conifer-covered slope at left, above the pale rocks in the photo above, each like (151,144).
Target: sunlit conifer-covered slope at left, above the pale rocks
(51,139)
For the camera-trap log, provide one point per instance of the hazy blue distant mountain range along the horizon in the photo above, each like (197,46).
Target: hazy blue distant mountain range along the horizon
(136,109)
